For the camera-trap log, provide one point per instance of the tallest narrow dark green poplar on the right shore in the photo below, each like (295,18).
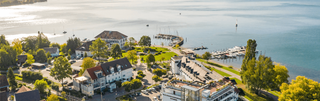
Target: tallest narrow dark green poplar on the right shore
(250,55)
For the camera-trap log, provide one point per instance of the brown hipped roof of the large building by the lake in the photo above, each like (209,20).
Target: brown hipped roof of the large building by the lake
(111,35)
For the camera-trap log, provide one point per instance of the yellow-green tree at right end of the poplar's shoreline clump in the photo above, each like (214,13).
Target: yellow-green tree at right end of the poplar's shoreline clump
(281,75)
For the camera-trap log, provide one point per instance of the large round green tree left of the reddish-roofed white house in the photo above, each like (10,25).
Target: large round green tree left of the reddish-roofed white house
(61,69)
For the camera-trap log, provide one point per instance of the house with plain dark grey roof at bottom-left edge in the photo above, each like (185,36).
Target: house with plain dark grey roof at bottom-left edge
(25,94)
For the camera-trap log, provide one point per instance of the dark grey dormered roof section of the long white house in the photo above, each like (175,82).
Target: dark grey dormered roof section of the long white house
(124,62)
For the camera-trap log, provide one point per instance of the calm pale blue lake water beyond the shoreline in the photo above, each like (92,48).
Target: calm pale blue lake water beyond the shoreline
(287,31)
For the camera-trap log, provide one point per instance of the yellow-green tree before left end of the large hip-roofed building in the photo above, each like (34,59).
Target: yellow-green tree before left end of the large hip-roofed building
(99,49)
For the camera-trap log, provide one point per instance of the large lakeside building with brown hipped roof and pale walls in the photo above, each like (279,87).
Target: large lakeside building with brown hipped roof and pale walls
(113,37)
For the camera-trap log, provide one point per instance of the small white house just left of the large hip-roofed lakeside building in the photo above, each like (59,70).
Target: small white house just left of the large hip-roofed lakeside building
(84,48)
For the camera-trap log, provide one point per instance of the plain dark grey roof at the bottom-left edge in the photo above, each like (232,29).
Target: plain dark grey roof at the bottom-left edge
(33,95)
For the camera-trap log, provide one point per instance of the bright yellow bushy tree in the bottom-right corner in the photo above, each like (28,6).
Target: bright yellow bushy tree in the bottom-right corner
(301,89)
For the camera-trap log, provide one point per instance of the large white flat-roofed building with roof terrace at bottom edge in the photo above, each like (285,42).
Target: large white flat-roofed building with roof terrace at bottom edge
(182,90)
